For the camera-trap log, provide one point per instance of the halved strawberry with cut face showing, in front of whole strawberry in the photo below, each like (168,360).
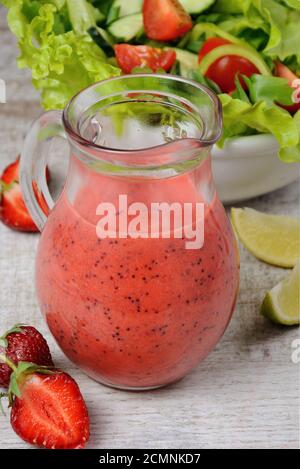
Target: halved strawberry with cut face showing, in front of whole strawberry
(50,411)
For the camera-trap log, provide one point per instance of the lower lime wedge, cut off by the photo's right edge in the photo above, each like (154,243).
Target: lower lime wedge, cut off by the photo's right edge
(282,303)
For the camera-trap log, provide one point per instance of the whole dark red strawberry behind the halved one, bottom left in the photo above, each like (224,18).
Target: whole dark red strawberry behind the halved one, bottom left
(23,343)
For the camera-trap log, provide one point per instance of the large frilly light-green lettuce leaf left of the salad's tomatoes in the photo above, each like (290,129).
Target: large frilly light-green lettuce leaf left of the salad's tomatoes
(62,61)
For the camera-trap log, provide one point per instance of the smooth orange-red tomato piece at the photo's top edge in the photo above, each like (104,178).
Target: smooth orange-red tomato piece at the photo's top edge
(165,20)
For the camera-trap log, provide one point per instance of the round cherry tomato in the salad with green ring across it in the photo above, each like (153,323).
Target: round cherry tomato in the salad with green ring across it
(224,70)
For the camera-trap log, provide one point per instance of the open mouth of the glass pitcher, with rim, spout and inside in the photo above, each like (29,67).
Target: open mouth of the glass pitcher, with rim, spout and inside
(144,119)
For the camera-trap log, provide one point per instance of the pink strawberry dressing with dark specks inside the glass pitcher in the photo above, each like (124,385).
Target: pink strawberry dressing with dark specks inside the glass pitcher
(135,313)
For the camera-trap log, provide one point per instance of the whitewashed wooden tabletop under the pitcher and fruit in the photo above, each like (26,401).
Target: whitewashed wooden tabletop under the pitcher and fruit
(245,394)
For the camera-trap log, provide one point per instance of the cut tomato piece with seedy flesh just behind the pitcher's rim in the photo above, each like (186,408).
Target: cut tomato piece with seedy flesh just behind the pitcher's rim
(129,57)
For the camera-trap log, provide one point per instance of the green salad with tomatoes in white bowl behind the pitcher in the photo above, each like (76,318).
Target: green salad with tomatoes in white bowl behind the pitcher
(247,51)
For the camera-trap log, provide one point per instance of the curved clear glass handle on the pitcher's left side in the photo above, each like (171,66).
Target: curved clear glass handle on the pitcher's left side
(33,172)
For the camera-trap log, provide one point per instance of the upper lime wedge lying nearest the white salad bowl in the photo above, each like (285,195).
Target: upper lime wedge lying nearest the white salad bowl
(274,239)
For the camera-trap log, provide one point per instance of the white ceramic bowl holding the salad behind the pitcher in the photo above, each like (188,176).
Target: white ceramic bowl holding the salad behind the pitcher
(249,166)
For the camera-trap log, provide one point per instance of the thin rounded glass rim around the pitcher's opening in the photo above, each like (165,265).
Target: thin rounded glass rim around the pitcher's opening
(84,143)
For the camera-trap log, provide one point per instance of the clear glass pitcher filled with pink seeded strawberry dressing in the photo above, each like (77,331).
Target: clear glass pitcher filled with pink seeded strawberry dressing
(137,268)
